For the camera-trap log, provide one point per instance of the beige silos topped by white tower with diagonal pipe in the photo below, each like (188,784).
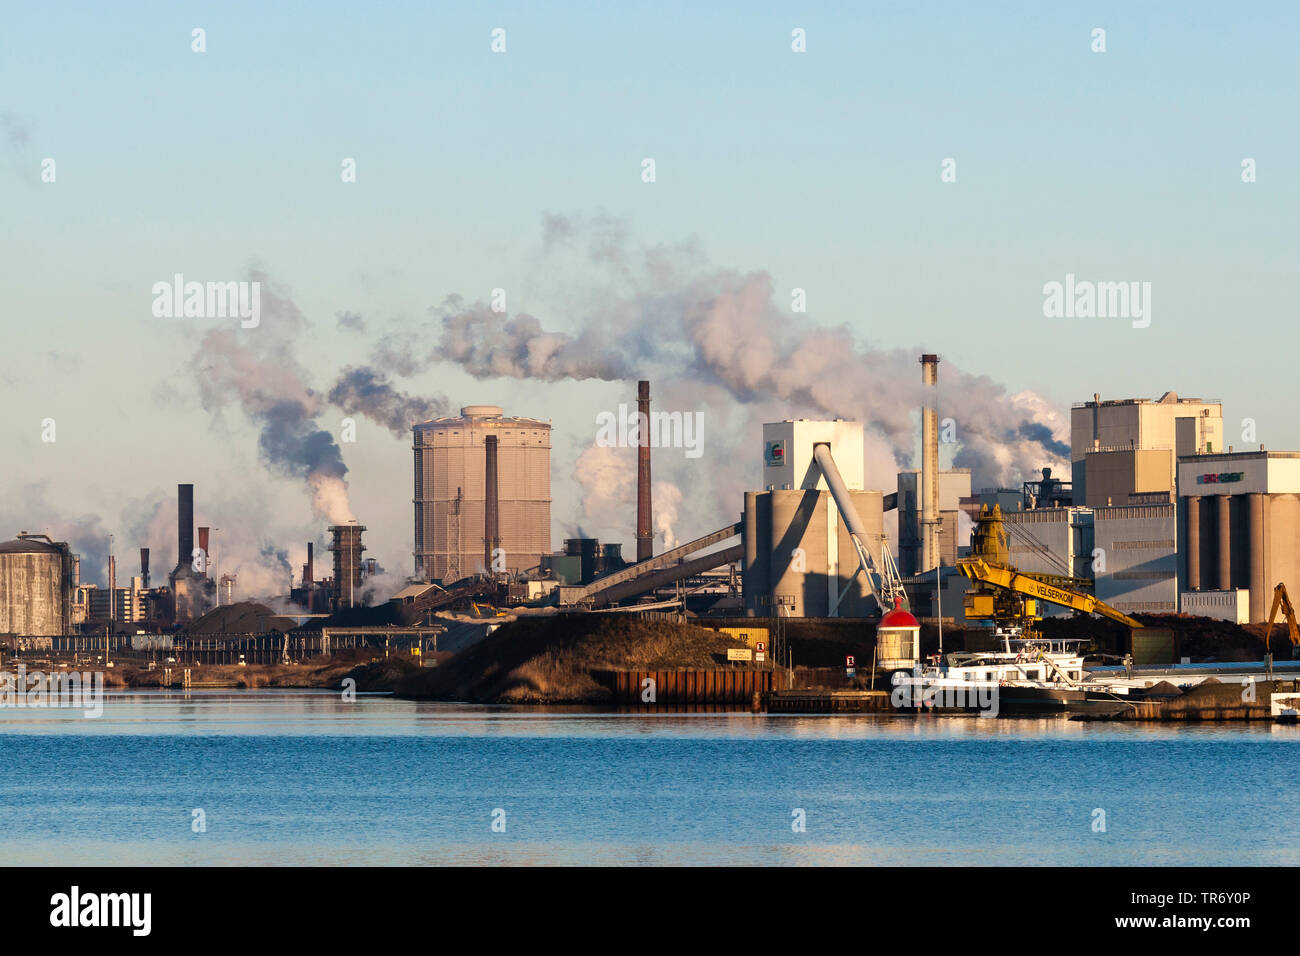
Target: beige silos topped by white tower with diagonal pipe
(799,556)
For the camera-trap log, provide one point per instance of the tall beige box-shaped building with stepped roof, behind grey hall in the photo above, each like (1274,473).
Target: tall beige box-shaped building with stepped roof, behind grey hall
(1125,451)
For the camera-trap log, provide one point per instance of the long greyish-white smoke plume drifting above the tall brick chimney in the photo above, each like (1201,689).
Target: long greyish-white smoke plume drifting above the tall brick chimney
(671,317)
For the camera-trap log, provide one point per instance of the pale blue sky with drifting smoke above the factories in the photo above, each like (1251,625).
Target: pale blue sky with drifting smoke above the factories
(523,171)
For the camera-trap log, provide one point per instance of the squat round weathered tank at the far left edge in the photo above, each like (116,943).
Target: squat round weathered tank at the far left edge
(38,581)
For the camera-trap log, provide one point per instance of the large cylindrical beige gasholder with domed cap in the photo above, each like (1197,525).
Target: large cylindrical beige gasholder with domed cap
(452,508)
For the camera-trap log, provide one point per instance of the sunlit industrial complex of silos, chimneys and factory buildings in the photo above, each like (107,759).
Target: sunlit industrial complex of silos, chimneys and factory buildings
(1159,517)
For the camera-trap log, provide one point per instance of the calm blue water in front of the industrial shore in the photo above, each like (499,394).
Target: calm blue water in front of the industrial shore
(302,778)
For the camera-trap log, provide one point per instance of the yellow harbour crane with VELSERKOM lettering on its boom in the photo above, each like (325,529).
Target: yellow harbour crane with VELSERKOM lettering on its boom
(1009,596)
